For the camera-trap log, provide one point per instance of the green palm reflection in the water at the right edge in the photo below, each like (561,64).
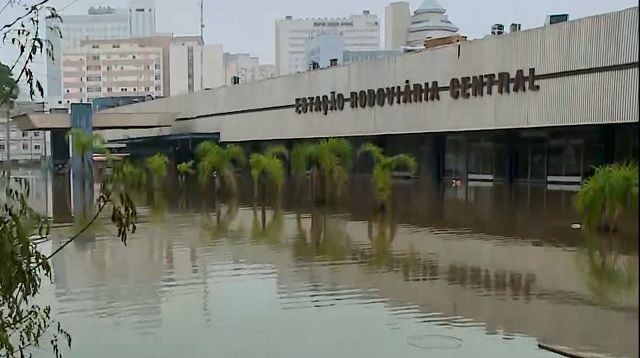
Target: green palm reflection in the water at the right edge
(607,273)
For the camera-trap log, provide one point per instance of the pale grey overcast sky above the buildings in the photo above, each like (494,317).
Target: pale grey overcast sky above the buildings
(248,25)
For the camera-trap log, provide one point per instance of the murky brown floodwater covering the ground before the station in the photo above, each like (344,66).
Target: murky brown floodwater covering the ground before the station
(455,272)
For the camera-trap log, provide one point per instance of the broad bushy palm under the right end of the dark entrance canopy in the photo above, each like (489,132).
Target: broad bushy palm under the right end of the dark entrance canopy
(214,159)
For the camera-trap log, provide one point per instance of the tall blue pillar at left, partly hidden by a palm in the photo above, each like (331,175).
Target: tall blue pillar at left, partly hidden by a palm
(82,163)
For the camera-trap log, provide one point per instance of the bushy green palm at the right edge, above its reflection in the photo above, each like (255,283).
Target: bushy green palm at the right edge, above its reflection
(603,198)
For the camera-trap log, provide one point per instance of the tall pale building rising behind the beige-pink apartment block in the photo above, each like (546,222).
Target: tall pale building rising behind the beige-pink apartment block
(100,23)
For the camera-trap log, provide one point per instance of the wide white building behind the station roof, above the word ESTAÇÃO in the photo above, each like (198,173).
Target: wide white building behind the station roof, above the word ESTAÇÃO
(360,32)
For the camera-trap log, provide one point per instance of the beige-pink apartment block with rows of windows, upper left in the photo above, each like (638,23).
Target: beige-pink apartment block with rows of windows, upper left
(108,68)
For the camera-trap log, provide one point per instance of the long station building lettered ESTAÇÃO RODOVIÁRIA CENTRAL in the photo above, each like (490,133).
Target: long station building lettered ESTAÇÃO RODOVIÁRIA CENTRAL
(525,106)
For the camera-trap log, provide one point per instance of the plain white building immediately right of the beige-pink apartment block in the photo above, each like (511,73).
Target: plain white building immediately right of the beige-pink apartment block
(194,66)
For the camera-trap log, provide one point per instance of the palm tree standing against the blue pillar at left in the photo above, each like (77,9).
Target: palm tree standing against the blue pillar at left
(83,145)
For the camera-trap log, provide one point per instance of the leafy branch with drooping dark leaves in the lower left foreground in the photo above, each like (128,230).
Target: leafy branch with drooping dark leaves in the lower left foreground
(24,323)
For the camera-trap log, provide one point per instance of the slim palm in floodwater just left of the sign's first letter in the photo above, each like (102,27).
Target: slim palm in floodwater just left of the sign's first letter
(269,167)
